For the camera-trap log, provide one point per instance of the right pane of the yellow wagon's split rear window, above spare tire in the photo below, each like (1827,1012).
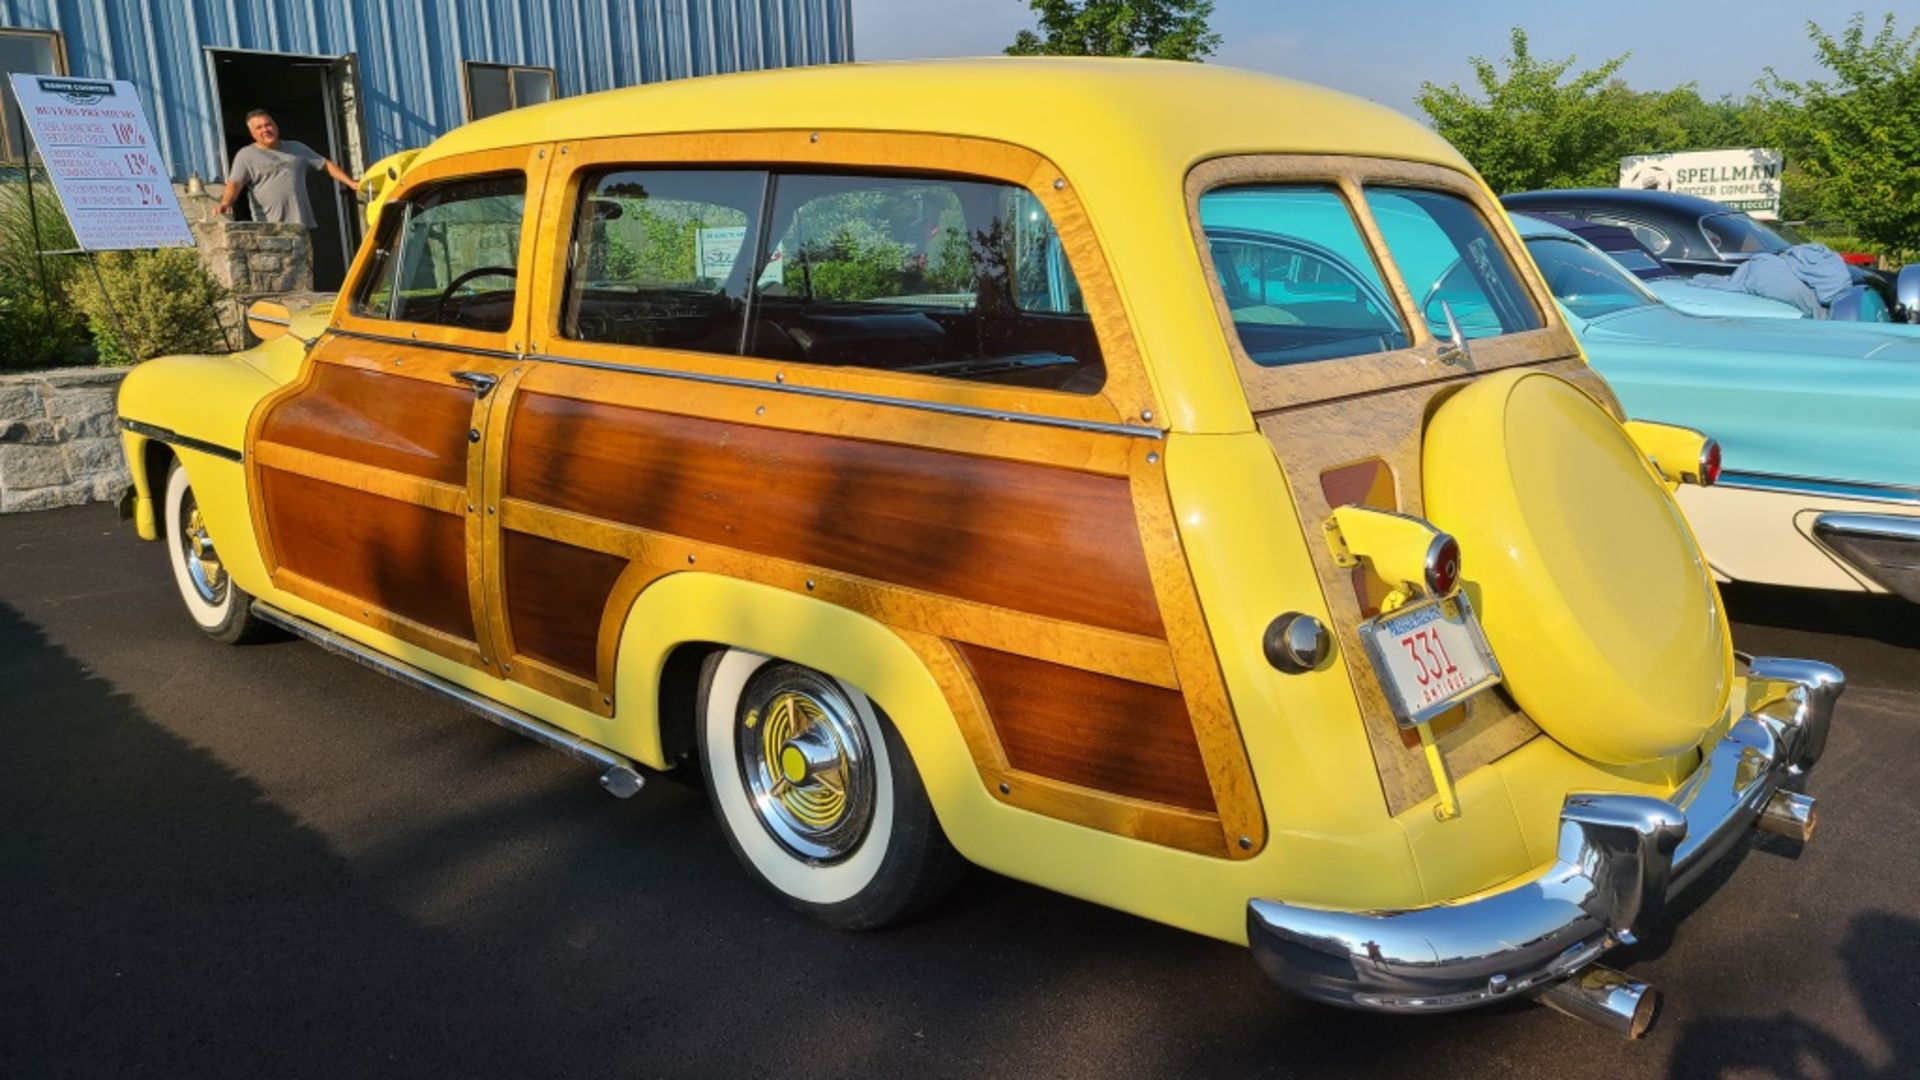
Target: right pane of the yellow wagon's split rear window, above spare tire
(1451,260)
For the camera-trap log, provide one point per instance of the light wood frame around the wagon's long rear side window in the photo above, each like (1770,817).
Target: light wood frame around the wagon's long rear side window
(1126,397)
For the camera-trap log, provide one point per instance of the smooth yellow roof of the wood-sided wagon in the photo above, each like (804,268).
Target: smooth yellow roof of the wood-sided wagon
(1078,112)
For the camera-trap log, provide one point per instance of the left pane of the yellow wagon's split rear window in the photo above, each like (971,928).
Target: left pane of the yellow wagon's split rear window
(1297,276)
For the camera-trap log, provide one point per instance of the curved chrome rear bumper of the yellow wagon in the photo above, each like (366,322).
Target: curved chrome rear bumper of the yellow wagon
(1620,860)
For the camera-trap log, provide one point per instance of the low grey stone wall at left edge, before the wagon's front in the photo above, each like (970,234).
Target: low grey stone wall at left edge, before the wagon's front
(60,439)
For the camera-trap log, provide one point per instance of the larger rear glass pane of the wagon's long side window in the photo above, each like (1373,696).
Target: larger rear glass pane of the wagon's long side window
(936,276)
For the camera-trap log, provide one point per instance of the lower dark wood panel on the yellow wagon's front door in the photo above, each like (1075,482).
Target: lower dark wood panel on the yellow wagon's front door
(383,552)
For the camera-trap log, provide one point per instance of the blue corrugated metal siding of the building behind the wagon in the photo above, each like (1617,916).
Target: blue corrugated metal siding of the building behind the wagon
(410,53)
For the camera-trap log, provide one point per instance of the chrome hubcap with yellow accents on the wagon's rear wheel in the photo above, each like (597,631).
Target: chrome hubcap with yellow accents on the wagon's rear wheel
(807,766)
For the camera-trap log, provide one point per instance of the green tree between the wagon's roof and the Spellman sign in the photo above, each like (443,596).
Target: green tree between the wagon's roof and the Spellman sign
(1537,126)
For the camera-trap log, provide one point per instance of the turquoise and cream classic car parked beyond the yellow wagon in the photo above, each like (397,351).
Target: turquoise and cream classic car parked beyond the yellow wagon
(1819,424)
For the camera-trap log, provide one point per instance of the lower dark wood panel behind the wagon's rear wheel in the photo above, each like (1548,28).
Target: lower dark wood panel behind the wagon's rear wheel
(1093,731)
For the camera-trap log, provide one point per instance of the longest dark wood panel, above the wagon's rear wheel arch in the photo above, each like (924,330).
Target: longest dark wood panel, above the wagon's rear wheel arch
(1034,539)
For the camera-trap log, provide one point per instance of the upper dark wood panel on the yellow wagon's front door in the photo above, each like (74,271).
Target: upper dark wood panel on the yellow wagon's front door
(391,422)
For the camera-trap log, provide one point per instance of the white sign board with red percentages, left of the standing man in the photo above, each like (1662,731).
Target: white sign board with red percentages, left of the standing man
(99,147)
